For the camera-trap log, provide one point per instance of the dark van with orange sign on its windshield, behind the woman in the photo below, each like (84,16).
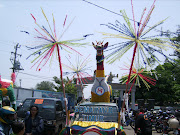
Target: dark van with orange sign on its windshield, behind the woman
(50,109)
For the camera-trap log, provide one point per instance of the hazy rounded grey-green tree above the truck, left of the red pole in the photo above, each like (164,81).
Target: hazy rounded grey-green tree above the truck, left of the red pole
(45,85)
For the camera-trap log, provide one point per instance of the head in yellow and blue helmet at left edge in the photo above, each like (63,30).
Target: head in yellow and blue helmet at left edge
(7,114)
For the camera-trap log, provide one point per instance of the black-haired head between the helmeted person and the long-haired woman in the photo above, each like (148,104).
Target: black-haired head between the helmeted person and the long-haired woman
(17,126)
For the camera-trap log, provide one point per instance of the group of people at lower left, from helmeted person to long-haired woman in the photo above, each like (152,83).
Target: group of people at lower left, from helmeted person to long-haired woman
(9,125)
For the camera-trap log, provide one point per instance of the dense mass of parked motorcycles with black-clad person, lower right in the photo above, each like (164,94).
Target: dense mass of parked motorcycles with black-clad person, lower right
(144,122)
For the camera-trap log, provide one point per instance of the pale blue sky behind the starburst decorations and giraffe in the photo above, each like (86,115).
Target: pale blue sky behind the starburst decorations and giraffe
(16,17)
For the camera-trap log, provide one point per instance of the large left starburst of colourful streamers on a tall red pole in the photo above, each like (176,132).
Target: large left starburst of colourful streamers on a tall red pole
(50,42)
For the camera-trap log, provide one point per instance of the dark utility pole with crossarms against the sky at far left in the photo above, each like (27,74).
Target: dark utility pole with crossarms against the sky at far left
(16,63)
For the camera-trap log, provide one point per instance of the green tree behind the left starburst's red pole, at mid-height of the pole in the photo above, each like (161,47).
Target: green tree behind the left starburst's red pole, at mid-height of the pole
(69,87)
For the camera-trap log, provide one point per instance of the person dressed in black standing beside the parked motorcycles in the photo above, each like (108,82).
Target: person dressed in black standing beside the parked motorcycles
(142,124)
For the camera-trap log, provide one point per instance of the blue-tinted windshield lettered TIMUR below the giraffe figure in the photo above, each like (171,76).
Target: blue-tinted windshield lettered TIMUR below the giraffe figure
(96,113)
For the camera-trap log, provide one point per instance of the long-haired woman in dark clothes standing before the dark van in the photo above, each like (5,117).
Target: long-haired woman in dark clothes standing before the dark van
(34,124)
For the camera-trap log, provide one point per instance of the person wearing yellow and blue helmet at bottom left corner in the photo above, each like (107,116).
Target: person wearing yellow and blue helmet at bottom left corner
(6,119)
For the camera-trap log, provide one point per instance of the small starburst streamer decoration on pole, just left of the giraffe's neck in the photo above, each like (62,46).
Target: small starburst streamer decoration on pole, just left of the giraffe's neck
(79,72)
